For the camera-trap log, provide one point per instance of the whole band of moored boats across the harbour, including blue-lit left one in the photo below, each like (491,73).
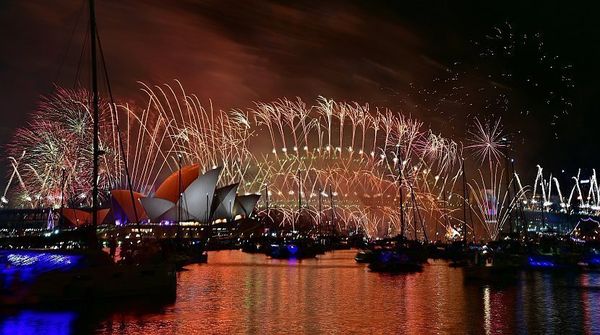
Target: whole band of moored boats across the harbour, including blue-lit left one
(76,264)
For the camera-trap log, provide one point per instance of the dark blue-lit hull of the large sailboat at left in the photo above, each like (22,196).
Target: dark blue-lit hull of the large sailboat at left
(29,283)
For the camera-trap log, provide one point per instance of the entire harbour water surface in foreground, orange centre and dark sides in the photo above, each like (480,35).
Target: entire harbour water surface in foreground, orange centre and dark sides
(238,293)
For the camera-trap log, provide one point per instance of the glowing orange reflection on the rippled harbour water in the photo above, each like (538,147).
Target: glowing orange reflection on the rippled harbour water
(242,293)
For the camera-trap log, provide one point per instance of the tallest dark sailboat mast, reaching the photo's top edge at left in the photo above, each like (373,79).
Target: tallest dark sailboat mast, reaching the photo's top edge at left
(95,114)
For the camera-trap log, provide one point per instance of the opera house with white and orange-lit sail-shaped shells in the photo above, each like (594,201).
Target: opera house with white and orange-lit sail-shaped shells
(200,199)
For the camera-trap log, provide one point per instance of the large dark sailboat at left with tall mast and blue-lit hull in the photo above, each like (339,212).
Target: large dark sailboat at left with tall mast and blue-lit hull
(44,276)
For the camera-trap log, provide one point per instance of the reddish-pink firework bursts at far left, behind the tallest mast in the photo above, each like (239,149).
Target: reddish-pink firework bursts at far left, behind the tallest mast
(55,154)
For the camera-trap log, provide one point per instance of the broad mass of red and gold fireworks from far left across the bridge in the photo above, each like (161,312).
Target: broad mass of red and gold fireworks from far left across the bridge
(344,151)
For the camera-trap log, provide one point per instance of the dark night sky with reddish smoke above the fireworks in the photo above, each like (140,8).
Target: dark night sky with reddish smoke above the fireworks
(386,53)
